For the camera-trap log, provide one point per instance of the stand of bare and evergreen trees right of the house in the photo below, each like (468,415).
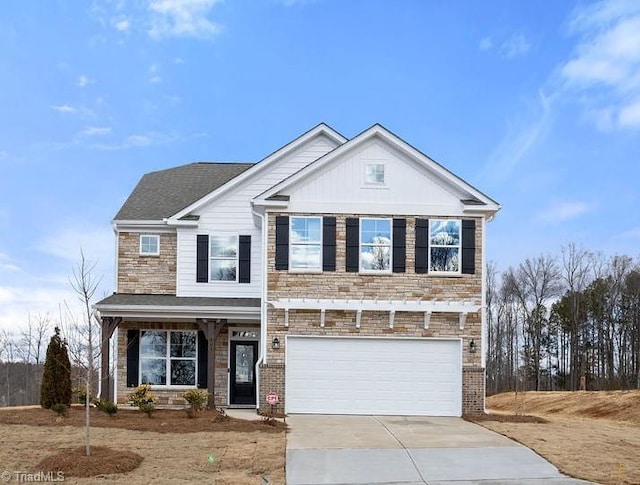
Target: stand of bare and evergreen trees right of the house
(569,322)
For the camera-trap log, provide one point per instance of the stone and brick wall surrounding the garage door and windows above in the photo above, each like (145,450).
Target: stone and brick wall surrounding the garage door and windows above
(342,285)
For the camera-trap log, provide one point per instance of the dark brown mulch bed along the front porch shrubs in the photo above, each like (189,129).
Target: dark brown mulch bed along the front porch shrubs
(161,421)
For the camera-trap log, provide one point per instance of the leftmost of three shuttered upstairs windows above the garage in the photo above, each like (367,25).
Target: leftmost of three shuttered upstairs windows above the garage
(305,243)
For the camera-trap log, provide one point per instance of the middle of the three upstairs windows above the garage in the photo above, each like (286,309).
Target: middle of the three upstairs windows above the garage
(375,245)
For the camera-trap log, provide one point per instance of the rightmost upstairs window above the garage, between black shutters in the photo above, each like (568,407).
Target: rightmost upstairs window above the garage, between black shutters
(444,245)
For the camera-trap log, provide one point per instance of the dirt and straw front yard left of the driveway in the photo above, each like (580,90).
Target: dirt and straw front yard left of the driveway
(173,447)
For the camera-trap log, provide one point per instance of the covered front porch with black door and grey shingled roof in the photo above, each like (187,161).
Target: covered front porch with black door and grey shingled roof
(179,343)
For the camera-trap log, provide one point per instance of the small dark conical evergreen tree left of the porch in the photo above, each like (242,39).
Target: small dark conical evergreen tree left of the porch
(56,379)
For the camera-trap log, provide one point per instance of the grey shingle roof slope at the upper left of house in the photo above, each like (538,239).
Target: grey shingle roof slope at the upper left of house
(164,193)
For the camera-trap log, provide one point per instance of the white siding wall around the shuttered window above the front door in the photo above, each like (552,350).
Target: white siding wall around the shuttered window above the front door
(231,213)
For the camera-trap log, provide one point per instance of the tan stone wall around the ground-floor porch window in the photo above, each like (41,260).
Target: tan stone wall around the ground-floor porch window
(167,396)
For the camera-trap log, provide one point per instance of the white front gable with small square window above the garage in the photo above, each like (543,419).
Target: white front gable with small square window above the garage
(412,179)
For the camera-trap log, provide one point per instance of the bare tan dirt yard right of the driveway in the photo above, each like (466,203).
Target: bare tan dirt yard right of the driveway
(590,435)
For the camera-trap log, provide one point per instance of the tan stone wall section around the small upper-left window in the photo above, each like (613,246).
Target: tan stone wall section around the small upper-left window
(146,274)
